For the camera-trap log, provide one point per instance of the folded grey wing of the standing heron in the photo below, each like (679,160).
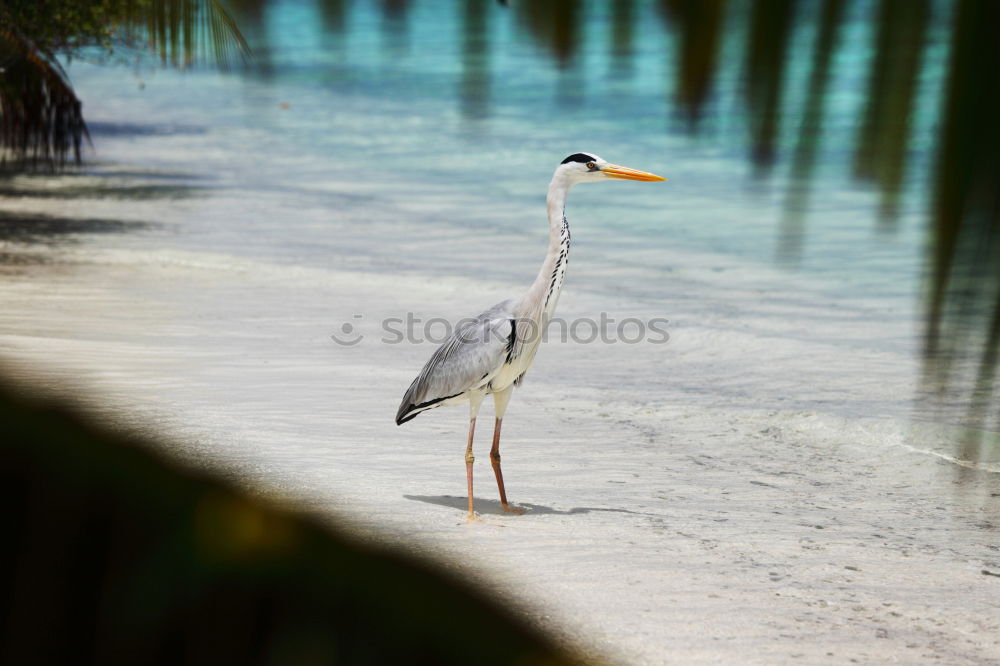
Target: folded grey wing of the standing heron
(474,353)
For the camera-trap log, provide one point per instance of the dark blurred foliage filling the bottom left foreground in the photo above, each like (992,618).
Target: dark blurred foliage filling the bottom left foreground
(115,556)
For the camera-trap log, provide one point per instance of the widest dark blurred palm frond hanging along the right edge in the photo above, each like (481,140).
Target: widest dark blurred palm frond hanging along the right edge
(963,311)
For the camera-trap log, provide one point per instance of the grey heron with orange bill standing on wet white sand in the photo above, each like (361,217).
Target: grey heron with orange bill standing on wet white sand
(491,353)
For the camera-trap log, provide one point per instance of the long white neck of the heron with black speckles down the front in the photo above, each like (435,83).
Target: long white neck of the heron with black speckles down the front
(543,295)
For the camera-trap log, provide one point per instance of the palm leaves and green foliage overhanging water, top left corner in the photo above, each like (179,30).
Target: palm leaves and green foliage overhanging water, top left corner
(41,123)
